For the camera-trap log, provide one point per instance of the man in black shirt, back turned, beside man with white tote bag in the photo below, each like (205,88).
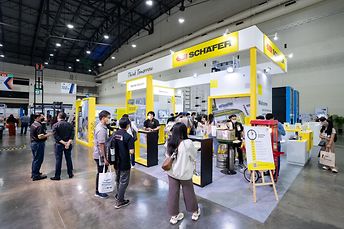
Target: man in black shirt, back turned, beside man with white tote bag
(124,146)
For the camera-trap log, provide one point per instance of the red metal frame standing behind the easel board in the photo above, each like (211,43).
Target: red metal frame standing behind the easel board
(273,125)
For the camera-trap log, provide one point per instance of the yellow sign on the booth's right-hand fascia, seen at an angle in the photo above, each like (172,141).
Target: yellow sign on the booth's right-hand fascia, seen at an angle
(273,52)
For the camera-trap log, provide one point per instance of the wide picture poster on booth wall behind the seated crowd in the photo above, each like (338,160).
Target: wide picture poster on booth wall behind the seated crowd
(224,107)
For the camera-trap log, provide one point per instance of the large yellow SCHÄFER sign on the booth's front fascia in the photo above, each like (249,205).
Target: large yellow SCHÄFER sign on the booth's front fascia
(217,47)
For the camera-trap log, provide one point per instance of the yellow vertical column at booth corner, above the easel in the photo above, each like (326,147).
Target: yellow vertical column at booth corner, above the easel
(253,83)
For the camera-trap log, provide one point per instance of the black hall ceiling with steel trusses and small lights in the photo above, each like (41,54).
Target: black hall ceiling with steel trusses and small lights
(34,31)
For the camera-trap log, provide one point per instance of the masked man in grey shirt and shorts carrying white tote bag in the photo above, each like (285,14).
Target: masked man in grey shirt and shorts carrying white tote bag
(99,154)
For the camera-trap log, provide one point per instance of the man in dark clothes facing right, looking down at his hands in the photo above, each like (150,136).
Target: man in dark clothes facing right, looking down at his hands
(38,137)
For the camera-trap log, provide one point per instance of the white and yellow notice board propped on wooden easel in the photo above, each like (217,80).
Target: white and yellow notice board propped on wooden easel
(258,148)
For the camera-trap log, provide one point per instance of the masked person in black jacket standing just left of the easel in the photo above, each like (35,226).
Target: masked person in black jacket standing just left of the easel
(239,133)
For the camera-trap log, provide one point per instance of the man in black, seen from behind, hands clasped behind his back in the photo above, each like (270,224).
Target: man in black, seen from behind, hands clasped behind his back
(64,135)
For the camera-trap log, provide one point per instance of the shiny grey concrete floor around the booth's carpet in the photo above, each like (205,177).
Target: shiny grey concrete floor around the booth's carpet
(314,200)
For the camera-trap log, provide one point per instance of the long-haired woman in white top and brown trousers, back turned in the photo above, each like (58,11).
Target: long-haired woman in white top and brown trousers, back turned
(181,174)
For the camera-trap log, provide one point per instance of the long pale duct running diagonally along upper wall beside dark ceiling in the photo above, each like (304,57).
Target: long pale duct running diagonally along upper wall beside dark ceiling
(259,14)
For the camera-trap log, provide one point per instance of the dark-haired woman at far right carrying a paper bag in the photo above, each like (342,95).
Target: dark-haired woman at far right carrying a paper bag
(328,134)
